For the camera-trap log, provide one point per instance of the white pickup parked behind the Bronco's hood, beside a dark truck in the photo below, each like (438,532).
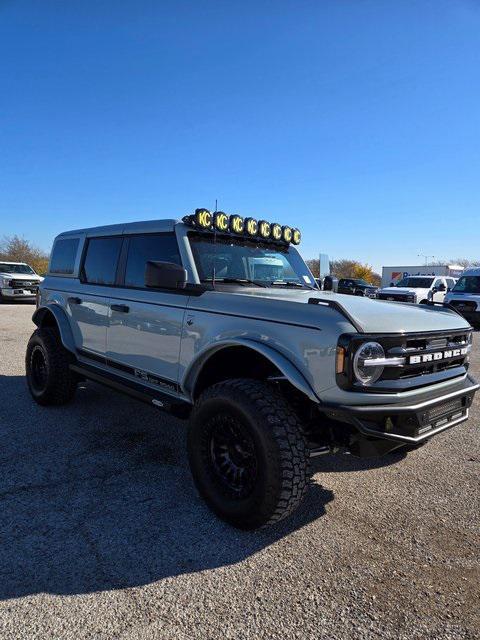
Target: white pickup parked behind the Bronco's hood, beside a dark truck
(418,289)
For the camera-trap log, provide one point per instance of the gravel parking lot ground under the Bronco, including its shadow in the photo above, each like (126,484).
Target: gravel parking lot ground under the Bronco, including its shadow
(103,535)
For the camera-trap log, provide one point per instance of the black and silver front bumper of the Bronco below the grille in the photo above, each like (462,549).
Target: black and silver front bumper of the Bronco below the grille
(406,424)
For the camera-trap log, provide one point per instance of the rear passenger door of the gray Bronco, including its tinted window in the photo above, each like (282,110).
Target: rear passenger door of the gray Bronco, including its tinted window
(88,305)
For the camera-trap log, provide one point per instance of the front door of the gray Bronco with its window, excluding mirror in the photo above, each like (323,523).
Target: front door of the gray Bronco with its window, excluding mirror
(144,333)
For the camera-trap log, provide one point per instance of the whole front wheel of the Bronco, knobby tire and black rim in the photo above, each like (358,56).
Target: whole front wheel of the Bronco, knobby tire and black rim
(248,455)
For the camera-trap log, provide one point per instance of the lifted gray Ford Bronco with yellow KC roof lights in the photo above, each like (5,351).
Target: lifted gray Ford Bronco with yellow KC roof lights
(217,318)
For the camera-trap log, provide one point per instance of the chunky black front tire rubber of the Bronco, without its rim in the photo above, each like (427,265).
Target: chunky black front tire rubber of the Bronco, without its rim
(282,457)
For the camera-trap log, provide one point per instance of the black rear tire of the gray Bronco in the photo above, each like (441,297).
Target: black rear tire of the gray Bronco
(59,383)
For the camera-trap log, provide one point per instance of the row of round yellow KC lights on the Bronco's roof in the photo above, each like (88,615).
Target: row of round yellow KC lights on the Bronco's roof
(221,222)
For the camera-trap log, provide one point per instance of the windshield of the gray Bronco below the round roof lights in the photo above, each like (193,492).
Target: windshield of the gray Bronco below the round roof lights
(254,261)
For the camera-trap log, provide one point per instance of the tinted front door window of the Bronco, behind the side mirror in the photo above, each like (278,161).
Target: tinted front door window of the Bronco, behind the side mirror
(141,249)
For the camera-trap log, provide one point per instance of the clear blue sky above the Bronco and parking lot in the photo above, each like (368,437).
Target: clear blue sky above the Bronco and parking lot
(356,120)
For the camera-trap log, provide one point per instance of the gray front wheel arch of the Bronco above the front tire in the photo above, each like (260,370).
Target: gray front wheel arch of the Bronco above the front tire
(251,359)
